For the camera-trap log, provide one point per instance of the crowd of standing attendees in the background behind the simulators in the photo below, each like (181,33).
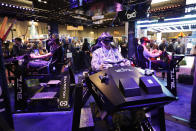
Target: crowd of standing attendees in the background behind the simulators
(82,51)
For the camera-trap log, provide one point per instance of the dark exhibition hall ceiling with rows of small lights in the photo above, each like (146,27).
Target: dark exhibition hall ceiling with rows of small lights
(95,13)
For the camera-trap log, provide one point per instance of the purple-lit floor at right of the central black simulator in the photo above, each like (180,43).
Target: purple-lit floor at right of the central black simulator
(180,108)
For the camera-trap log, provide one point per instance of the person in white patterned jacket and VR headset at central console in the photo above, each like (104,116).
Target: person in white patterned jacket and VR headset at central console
(107,54)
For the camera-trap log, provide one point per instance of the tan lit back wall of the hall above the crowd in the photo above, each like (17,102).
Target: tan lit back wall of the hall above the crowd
(23,30)
